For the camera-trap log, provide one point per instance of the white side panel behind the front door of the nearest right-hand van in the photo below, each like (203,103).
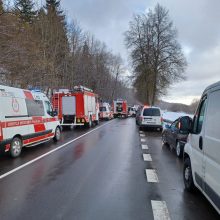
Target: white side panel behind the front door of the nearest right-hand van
(212,149)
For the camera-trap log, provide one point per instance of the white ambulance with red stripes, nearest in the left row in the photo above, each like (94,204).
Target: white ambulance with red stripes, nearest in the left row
(26,119)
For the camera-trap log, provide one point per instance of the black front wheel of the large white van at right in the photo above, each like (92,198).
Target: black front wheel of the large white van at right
(187,176)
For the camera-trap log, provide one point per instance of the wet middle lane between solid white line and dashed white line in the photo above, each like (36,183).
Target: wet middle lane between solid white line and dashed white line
(100,176)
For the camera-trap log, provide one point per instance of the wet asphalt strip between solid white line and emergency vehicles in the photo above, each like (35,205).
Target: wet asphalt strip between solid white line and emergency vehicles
(29,153)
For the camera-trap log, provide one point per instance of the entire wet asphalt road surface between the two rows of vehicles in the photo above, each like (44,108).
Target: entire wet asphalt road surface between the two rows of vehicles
(98,176)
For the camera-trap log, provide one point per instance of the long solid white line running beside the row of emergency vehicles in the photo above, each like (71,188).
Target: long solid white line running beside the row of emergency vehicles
(49,152)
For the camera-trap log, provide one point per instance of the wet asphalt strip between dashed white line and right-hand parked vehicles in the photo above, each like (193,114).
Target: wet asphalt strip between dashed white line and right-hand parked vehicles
(181,204)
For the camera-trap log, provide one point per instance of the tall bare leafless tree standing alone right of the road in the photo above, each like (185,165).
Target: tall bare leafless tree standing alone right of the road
(156,55)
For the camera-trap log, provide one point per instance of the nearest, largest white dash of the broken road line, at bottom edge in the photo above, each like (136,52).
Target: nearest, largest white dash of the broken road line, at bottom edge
(160,210)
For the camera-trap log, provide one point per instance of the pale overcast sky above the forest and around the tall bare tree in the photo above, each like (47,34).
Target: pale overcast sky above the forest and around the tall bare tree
(197,23)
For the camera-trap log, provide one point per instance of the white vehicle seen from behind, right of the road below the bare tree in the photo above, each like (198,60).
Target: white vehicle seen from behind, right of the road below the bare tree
(149,117)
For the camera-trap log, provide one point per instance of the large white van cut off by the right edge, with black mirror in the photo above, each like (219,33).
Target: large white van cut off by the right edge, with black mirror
(202,151)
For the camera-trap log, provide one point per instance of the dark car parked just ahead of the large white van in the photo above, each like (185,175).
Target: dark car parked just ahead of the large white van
(174,137)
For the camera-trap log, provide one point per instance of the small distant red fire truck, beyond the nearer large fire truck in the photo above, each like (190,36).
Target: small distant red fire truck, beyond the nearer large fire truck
(120,108)
